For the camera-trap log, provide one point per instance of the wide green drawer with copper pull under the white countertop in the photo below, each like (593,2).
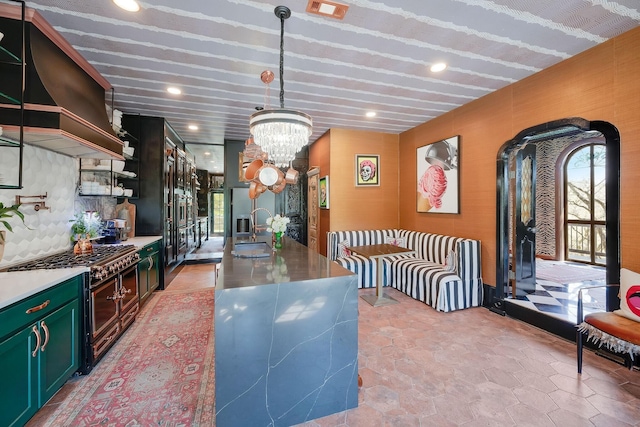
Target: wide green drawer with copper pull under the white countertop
(37,306)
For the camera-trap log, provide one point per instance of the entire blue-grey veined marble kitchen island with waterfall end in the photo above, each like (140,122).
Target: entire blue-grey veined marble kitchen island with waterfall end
(286,337)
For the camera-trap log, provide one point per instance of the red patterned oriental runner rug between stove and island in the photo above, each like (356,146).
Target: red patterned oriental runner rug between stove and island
(160,373)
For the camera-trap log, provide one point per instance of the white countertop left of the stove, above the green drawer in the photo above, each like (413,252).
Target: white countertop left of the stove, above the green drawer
(18,285)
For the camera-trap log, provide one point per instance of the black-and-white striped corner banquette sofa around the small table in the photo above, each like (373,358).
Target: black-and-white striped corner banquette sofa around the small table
(424,275)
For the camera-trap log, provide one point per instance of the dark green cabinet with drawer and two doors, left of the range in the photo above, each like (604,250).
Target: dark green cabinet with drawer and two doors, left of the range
(39,349)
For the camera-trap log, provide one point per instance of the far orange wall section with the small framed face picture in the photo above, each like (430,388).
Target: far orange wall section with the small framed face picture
(360,208)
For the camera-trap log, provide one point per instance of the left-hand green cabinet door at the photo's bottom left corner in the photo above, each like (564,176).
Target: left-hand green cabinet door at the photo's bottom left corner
(18,385)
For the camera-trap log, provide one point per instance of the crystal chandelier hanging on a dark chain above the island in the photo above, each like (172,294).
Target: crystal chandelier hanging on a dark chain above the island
(280,132)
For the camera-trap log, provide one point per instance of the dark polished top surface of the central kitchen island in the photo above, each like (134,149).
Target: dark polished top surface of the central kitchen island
(294,262)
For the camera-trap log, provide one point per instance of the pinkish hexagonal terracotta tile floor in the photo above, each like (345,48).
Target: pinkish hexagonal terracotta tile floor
(465,368)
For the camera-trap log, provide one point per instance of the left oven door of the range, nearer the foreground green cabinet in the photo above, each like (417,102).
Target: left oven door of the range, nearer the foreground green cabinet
(104,307)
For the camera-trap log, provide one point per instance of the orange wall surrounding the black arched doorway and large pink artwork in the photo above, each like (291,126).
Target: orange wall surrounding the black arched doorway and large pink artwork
(599,84)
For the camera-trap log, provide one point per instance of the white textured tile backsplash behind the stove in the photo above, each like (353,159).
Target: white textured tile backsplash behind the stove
(46,231)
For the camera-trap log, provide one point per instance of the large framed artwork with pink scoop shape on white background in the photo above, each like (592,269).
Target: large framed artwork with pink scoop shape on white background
(438,177)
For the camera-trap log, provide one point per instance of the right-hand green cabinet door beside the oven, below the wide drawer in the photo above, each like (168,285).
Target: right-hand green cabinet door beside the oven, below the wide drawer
(59,352)
